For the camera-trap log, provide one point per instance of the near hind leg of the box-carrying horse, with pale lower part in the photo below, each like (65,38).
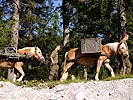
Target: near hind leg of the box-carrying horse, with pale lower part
(65,73)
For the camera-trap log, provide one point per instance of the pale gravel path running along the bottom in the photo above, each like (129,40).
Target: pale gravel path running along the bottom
(107,90)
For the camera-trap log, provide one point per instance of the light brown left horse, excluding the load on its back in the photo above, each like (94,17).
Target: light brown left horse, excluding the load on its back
(31,52)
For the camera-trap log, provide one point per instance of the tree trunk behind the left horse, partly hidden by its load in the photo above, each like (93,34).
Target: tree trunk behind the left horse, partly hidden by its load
(14,35)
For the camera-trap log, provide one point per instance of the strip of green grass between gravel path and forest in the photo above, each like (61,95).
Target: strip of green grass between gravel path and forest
(51,84)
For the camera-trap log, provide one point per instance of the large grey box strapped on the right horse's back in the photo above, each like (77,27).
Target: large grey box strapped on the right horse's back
(91,45)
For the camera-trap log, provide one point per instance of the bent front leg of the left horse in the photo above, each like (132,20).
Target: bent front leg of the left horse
(18,66)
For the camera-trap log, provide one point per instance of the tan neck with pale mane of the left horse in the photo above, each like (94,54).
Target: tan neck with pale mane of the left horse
(27,50)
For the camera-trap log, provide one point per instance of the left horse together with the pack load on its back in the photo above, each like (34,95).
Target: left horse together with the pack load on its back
(7,59)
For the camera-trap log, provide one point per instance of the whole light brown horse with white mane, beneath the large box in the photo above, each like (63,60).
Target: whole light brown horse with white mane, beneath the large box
(74,57)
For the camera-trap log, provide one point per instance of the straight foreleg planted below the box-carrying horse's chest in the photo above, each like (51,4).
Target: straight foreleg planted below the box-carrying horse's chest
(99,64)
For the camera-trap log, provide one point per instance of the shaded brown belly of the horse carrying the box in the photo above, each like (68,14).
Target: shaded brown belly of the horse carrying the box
(87,61)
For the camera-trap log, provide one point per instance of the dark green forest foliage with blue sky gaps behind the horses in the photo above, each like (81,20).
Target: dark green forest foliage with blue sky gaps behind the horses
(43,23)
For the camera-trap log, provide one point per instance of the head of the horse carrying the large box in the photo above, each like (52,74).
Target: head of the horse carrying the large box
(122,49)
